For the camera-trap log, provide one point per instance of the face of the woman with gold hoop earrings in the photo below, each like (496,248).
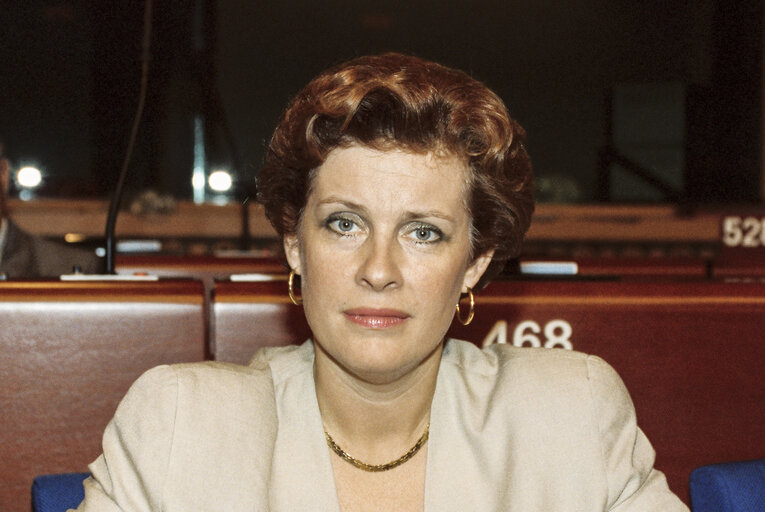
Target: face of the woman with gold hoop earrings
(383,251)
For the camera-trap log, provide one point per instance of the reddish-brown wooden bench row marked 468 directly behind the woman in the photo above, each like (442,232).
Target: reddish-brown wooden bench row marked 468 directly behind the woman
(691,354)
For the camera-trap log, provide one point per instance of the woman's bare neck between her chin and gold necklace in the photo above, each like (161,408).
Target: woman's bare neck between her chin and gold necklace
(371,420)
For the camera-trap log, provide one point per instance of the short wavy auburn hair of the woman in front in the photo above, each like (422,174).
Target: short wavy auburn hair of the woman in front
(398,101)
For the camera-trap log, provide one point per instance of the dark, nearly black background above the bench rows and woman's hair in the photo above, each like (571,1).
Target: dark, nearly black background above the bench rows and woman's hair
(689,74)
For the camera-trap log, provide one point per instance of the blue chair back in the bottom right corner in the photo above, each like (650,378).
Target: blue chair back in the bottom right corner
(729,487)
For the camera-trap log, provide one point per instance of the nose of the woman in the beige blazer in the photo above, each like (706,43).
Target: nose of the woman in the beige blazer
(380,267)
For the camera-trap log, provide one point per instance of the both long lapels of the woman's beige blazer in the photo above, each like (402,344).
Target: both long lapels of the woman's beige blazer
(302,477)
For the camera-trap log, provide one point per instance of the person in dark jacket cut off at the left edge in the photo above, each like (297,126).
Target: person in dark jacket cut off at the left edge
(24,255)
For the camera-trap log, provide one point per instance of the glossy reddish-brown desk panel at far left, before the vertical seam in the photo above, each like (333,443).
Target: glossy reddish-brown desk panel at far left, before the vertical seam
(70,352)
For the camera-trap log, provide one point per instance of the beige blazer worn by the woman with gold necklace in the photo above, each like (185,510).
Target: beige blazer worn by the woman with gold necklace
(511,430)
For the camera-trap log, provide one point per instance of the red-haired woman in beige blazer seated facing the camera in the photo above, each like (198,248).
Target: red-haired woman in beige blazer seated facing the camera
(397,186)
